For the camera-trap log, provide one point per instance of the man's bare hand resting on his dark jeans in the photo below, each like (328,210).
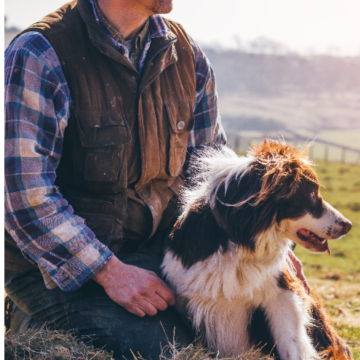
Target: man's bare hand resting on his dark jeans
(137,290)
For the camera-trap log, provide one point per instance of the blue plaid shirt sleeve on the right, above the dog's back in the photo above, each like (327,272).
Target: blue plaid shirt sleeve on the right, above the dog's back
(207,130)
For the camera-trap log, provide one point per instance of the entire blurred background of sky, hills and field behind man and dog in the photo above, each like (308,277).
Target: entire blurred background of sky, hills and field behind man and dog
(291,69)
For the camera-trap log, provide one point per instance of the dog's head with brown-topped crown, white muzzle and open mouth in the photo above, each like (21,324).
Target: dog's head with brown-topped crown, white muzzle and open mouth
(273,186)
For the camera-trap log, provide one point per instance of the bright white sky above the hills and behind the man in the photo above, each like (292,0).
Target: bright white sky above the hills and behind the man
(306,26)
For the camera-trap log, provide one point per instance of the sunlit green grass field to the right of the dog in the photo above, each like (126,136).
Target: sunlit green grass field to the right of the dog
(336,278)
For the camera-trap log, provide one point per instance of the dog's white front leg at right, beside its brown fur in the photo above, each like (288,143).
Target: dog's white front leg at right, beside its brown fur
(288,320)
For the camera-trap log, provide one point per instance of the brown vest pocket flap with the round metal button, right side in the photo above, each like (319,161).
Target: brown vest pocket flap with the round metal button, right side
(181,116)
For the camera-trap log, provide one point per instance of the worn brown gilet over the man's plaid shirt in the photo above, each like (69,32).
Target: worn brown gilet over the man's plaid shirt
(119,117)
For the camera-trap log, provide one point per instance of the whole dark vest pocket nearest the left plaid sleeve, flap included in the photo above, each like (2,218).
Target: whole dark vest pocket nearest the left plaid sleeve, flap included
(103,138)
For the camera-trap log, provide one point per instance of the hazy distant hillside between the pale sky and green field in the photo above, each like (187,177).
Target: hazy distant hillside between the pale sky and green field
(259,92)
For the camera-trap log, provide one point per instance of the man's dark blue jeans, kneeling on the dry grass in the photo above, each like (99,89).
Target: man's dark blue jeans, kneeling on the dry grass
(91,312)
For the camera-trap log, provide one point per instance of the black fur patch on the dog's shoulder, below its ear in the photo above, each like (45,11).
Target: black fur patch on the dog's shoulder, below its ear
(197,236)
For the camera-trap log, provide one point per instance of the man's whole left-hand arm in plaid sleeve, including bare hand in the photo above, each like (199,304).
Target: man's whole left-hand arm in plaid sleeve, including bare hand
(38,106)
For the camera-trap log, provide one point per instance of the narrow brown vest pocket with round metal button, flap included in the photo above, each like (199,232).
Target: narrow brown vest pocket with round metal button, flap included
(181,121)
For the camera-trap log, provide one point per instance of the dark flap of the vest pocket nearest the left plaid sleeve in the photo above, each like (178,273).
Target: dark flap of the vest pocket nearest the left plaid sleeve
(96,130)
